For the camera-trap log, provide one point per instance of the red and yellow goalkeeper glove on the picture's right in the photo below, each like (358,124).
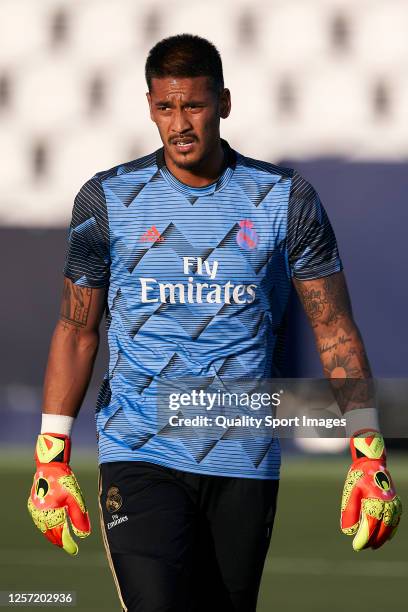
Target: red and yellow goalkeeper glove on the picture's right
(370,507)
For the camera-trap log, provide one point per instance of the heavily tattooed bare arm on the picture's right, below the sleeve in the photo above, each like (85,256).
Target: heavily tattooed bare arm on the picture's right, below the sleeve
(327,305)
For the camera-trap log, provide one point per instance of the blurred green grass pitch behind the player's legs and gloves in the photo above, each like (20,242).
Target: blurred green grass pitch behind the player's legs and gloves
(311,565)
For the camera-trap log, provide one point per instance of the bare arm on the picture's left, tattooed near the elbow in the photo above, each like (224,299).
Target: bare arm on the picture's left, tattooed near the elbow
(73,349)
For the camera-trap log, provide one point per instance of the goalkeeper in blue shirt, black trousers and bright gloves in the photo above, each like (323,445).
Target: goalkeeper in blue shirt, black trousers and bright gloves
(192,251)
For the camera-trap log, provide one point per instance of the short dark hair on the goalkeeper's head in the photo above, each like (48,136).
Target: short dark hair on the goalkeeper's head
(184,55)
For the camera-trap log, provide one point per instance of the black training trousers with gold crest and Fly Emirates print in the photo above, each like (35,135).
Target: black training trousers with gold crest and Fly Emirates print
(184,542)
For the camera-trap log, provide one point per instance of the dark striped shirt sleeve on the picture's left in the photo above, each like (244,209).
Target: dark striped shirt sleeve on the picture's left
(87,261)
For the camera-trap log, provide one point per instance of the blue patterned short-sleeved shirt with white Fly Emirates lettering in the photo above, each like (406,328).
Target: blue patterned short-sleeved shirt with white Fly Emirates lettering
(198,285)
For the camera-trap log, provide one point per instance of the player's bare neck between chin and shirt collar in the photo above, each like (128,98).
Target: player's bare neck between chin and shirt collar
(208,172)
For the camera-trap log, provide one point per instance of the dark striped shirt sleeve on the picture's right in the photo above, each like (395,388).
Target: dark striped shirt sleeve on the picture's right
(311,244)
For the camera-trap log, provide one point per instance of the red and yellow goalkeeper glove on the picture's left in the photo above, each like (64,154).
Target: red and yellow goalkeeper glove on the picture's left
(55,494)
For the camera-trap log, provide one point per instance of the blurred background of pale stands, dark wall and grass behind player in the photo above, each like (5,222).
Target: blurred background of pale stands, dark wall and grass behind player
(319,85)
